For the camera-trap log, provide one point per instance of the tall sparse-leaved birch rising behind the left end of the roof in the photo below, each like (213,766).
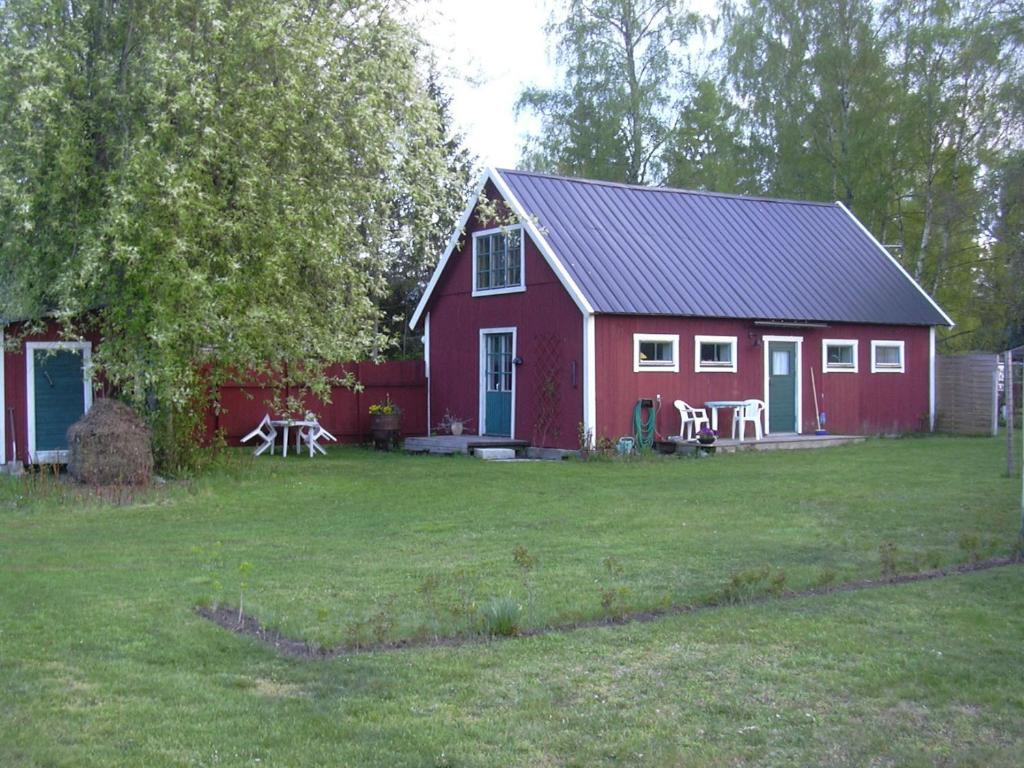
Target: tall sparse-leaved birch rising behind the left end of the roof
(613,116)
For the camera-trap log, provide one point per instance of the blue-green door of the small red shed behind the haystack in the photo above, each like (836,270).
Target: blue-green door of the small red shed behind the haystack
(59,398)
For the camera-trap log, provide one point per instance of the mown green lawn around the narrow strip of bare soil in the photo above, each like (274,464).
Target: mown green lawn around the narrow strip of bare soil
(104,663)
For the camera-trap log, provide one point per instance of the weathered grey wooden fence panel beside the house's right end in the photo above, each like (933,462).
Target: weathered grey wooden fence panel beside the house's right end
(967,395)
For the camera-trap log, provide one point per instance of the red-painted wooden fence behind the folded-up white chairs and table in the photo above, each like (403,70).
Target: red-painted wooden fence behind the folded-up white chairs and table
(243,405)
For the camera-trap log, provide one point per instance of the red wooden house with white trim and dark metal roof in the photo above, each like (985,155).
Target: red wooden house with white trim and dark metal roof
(599,295)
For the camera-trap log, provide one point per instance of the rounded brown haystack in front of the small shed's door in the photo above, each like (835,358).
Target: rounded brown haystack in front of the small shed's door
(110,446)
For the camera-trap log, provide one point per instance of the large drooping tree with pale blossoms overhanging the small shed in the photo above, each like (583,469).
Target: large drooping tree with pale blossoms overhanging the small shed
(209,185)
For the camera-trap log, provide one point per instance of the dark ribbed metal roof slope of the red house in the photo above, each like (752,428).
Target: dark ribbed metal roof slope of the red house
(642,250)
